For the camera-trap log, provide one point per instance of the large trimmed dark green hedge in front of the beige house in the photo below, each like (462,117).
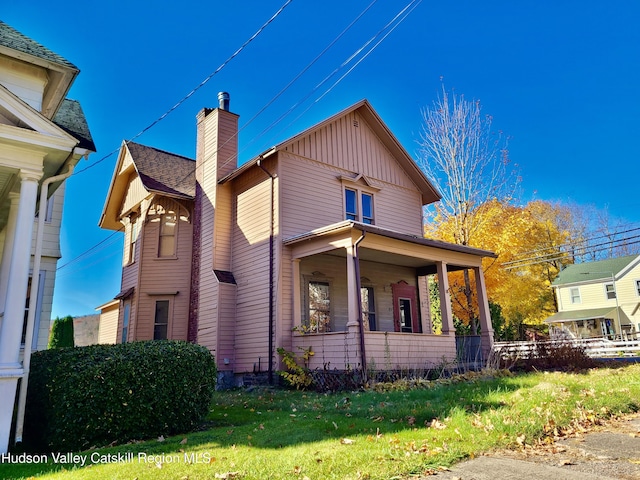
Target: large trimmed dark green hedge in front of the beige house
(101,394)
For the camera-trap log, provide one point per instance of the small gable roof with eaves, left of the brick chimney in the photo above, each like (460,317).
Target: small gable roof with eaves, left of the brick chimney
(159,171)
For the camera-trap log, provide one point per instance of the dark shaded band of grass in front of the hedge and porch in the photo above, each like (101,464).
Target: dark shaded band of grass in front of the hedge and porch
(277,419)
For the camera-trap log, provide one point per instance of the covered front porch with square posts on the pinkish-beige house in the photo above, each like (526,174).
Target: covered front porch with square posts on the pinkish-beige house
(361,298)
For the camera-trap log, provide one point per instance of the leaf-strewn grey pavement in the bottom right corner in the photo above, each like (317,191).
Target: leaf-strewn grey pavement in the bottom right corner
(611,451)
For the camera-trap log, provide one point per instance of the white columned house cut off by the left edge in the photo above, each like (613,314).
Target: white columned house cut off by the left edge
(42,136)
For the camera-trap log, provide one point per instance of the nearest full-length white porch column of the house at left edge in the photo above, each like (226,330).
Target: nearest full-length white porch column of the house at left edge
(11,331)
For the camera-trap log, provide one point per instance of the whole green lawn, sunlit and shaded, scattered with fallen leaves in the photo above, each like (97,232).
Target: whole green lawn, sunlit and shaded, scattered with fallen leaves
(361,435)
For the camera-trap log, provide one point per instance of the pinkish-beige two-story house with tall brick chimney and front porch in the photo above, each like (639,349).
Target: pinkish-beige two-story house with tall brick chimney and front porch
(317,244)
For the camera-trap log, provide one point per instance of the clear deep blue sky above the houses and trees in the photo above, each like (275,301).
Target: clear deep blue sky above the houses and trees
(560,78)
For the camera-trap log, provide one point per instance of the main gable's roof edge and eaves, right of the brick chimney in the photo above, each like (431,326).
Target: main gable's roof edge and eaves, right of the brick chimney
(429,192)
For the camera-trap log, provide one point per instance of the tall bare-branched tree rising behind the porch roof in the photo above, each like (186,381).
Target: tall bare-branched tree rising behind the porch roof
(460,152)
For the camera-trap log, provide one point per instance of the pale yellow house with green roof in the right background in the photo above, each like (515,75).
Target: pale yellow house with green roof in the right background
(598,299)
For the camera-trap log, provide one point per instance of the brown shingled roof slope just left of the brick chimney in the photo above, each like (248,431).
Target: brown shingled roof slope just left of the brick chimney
(164,172)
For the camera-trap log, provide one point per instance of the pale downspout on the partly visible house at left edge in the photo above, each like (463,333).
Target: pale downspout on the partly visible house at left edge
(33,295)
